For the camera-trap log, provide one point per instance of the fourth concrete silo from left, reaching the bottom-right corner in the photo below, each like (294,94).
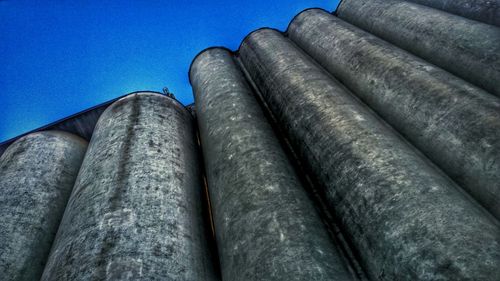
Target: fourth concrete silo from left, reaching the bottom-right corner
(406,219)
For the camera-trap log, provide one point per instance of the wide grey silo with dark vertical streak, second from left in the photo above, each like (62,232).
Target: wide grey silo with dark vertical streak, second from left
(135,212)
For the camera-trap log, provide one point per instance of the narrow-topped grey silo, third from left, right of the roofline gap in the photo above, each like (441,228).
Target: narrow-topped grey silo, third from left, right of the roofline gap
(267,228)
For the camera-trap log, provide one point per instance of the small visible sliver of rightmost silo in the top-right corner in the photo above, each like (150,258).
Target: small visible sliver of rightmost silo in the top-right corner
(487,11)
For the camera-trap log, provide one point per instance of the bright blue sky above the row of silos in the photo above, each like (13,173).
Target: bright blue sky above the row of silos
(61,57)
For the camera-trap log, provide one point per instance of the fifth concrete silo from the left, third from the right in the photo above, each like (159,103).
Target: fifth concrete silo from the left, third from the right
(454,123)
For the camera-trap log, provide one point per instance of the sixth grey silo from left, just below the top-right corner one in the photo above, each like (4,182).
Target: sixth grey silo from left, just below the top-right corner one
(466,48)
